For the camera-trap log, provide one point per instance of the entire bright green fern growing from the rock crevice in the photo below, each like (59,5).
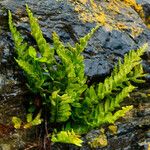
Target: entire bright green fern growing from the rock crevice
(56,73)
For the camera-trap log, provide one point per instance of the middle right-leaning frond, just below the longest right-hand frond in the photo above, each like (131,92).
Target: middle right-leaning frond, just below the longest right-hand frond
(95,116)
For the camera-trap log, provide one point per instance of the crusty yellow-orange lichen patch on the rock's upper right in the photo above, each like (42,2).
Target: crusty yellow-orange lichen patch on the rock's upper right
(106,13)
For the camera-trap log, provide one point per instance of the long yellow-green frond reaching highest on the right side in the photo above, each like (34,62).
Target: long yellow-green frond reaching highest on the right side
(120,74)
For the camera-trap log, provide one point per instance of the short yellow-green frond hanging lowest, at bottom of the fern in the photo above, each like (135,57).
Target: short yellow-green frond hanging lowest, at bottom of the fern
(67,137)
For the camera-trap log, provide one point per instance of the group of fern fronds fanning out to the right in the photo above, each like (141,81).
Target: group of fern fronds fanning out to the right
(104,98)
